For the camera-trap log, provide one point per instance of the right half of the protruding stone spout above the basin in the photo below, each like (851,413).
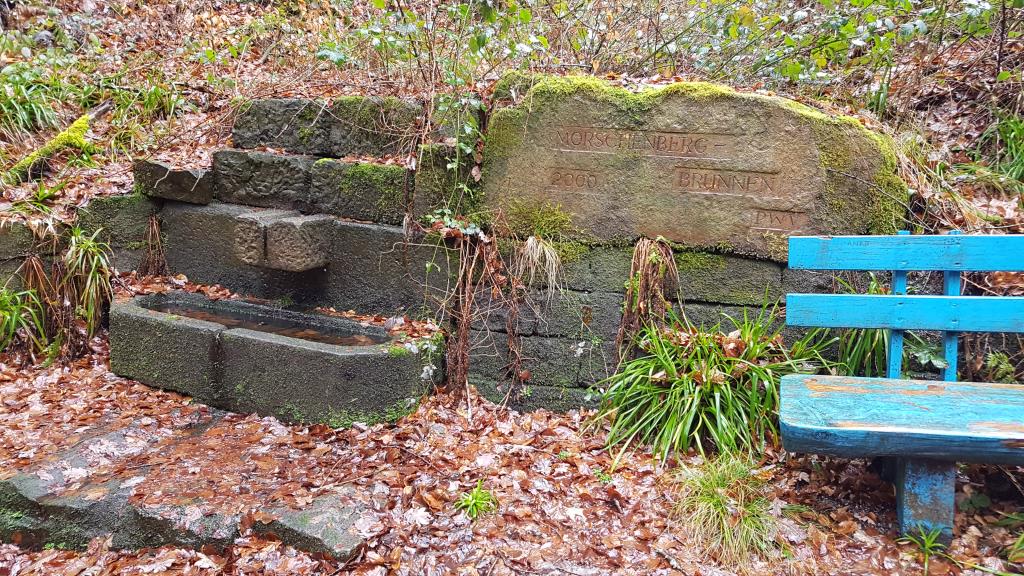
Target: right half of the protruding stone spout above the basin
(298,243)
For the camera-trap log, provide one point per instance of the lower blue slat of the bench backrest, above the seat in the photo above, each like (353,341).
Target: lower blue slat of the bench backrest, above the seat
(960,314)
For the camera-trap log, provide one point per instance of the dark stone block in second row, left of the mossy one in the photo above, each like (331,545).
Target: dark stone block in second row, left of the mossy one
(263,179)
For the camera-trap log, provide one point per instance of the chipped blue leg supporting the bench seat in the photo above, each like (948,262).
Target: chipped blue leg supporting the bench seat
(925,491)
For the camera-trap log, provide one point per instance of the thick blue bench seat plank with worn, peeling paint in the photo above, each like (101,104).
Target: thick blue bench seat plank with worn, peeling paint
(865,418)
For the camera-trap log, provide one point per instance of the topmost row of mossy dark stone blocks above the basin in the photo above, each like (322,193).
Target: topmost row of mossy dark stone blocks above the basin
(351,126)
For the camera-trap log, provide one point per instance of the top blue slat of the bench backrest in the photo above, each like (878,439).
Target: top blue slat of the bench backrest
(952,253)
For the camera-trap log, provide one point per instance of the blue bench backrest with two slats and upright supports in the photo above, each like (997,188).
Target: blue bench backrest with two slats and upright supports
(951,314)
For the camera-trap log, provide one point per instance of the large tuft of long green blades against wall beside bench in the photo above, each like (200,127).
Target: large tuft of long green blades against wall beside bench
(706,390)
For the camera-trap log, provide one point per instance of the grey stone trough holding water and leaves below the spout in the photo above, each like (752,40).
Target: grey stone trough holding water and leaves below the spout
(253,358)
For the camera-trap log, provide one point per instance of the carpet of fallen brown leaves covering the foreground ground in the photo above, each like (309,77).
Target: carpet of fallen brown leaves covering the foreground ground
(559,513)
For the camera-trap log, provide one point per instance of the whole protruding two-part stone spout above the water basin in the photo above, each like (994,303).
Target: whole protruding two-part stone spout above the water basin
(282,240)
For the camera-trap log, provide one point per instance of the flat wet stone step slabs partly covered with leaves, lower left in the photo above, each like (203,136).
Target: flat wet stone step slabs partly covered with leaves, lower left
(91,490)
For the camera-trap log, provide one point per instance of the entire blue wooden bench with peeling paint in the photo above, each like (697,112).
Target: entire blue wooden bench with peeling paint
(926,427)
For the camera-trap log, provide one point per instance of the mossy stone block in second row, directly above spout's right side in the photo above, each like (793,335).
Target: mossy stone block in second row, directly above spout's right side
(360,191)
